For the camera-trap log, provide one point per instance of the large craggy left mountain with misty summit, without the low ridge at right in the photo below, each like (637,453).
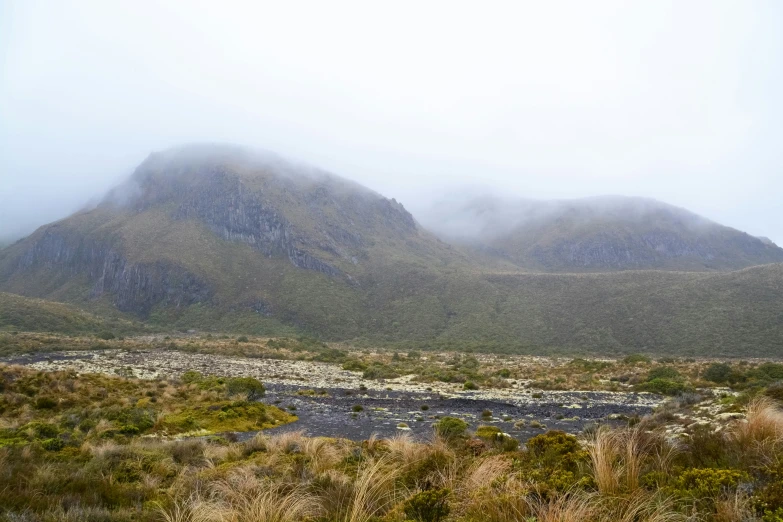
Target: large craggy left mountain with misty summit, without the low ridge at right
(206,234)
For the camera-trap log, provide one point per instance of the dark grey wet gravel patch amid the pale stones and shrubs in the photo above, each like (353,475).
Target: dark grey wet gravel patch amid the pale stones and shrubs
(386,413)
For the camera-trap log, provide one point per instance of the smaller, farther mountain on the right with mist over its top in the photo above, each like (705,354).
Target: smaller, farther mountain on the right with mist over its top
(599,234)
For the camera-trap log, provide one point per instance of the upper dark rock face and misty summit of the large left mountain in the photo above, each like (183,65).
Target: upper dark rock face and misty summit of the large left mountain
(252,203)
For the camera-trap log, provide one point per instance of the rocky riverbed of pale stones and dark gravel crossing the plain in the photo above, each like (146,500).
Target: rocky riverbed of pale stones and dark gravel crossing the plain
(330,401)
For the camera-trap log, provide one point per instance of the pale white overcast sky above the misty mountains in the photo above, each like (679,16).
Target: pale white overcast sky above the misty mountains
(679,101)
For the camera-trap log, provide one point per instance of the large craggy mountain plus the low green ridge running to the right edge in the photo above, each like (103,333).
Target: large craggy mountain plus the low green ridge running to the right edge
(218,238)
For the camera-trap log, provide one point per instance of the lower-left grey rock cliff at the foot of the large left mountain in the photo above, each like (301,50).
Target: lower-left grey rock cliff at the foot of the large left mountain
(133,287)
